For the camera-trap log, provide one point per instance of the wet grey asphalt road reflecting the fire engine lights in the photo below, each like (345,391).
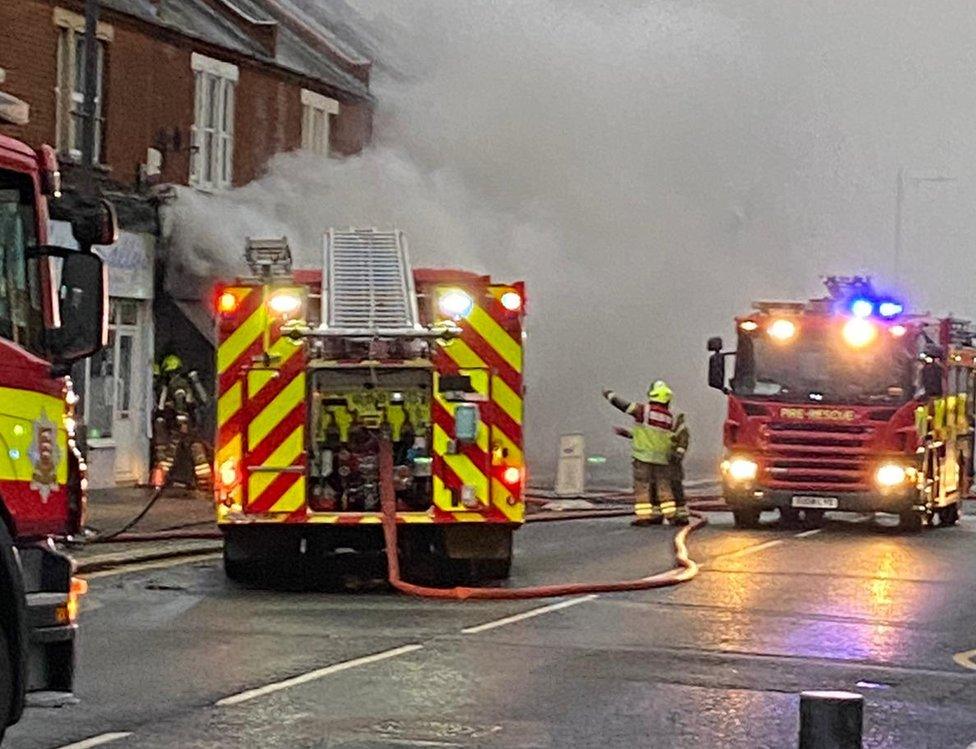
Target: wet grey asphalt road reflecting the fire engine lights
(716,662)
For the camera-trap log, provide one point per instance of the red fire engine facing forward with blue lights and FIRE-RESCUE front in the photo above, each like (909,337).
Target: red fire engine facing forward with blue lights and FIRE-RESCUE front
(847,403)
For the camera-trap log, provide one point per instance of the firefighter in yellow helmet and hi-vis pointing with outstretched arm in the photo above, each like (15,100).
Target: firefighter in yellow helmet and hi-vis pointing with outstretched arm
(653,447)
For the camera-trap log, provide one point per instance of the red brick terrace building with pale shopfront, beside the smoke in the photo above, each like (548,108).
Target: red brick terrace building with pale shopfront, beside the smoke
(191,92)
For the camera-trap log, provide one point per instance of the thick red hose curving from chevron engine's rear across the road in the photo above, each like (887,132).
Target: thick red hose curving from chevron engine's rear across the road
(685,570)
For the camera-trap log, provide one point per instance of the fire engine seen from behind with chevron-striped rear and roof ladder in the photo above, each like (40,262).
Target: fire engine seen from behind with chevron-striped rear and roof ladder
(315,368)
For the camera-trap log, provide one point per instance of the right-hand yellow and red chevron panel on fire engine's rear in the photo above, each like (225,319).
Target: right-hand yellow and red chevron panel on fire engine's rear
(489,351)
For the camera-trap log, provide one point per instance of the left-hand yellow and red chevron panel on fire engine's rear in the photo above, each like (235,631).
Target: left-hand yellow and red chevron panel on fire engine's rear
(261,406)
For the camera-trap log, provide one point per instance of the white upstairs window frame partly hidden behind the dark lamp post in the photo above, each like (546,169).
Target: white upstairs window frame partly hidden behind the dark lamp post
(70,102)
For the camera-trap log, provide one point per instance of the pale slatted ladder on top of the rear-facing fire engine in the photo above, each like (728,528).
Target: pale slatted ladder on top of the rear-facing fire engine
(368,283)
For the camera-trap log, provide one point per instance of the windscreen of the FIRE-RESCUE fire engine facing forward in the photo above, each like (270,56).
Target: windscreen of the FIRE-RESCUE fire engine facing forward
(817,365)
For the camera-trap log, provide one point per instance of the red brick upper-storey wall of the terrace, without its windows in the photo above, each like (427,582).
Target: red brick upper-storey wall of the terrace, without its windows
(149,91)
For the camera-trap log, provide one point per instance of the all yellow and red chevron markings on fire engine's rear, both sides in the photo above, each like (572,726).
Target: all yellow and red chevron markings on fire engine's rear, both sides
(262,414)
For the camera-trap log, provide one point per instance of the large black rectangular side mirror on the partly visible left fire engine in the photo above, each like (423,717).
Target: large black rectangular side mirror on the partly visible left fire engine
(82,303)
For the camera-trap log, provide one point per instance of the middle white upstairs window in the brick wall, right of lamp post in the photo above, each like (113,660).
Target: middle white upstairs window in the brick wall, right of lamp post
(215,82)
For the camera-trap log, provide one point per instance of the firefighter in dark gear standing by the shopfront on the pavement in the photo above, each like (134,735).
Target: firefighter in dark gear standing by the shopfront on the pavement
(175,423)
